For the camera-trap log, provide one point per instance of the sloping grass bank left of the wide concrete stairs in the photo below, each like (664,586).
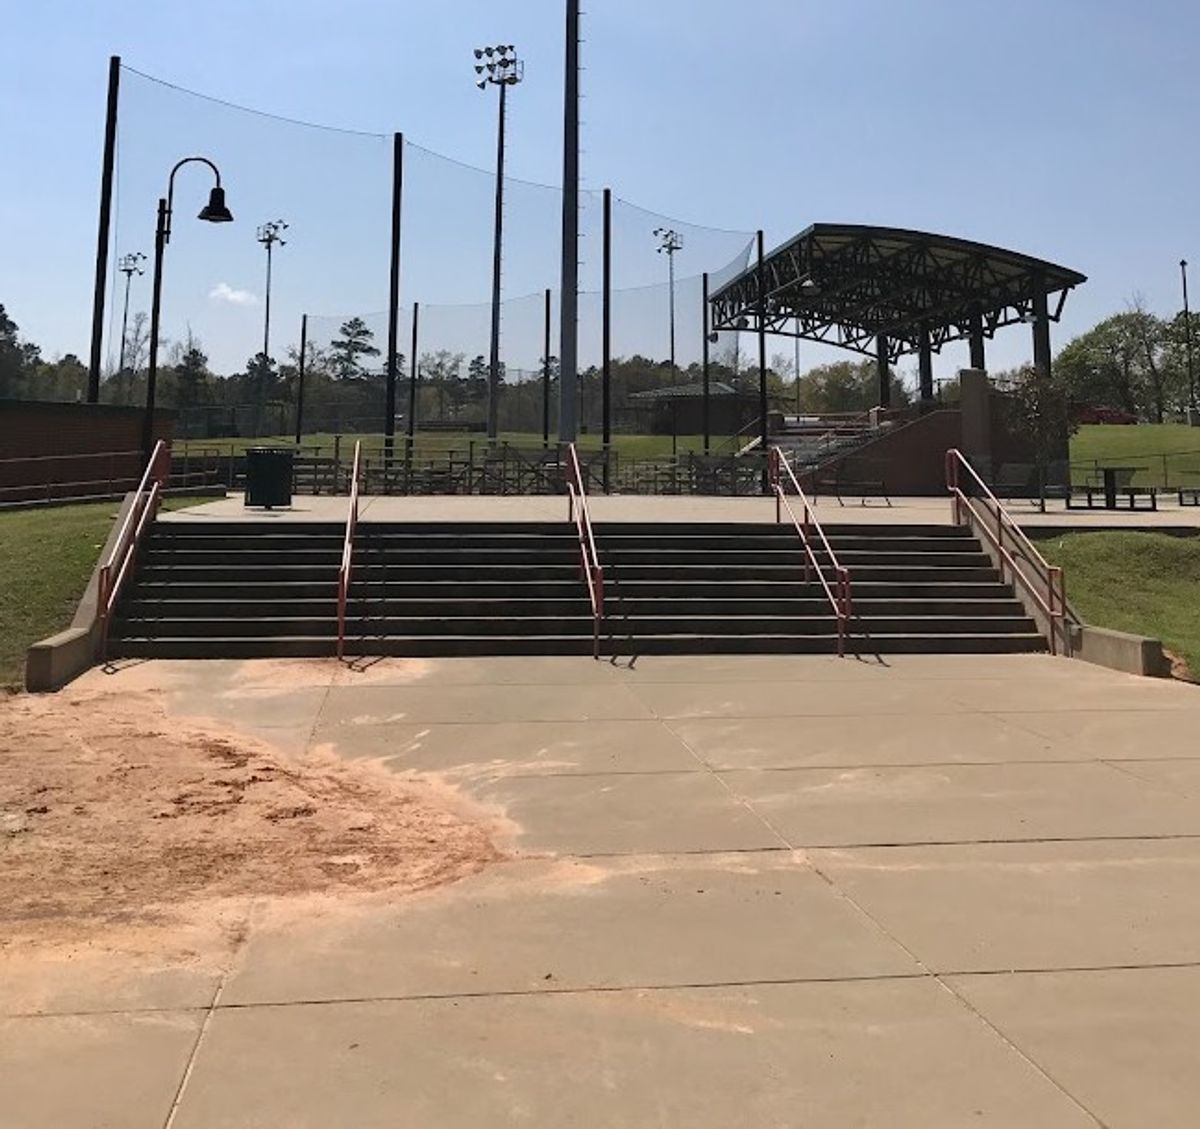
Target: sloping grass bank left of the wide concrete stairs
(46,559)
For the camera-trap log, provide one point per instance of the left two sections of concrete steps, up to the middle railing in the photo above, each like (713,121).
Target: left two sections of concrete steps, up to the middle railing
(247,590)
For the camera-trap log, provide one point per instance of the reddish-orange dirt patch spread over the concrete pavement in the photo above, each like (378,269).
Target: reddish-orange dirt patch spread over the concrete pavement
(115,815)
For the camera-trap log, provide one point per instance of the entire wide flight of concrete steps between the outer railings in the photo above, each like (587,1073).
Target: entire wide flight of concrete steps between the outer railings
(244,590)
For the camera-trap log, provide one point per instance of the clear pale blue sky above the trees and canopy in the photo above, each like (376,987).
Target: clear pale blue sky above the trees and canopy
(1060,128)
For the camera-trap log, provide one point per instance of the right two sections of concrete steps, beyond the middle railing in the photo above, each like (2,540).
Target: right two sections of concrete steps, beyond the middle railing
(740,588)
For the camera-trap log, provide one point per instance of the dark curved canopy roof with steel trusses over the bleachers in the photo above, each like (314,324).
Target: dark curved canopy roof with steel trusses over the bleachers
(848,285)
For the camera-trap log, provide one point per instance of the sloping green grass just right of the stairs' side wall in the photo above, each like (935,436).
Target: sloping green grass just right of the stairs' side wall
(1147,584)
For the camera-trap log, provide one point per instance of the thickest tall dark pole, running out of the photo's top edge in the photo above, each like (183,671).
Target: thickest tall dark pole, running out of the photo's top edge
(569,289)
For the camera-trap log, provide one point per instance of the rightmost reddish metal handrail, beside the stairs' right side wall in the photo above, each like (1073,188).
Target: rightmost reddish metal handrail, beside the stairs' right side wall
(1047,587)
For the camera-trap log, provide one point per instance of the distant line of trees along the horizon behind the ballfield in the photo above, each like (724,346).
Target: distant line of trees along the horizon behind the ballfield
(1135,362)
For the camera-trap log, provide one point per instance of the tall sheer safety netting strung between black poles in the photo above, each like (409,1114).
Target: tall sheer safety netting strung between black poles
(334,189)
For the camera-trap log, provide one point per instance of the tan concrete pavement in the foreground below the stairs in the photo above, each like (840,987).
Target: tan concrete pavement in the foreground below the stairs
(763,892)
